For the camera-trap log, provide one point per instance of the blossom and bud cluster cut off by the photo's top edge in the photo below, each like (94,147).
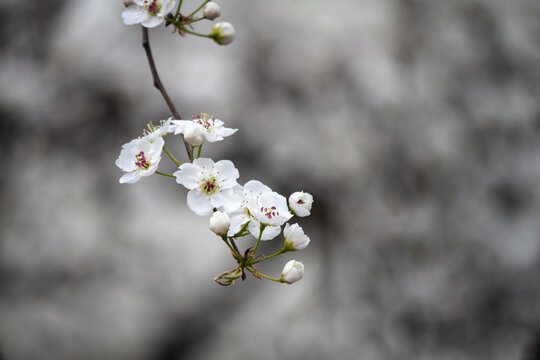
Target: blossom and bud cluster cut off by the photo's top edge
(152,13)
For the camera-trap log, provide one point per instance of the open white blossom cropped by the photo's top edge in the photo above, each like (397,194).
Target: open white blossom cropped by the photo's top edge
(148,13)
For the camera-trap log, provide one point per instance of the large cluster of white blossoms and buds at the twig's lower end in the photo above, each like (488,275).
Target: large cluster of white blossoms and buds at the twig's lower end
(235,210)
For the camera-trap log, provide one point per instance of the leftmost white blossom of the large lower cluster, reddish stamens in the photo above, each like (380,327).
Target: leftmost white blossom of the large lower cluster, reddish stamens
(138,158)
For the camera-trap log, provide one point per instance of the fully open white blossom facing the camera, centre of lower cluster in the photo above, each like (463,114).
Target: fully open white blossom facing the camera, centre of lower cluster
(210,185)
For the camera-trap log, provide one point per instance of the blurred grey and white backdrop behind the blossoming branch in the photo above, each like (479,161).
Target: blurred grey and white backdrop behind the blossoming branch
(414,123)
